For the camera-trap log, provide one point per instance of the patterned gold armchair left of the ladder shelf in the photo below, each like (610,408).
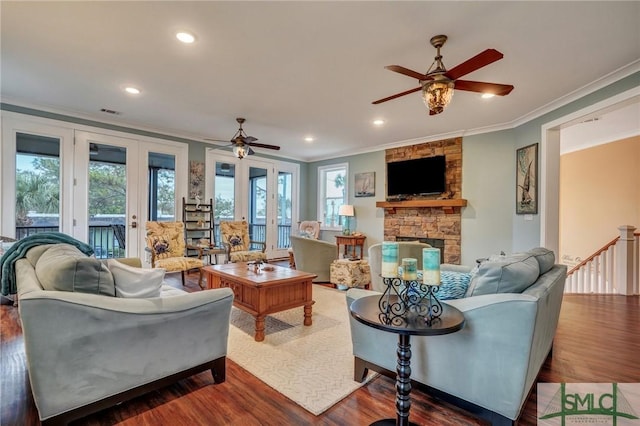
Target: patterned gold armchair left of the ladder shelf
(165,242)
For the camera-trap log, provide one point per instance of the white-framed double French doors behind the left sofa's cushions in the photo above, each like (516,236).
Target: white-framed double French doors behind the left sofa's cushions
(122,183)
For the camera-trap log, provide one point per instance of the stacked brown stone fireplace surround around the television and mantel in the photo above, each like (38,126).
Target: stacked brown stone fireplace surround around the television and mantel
(429,222)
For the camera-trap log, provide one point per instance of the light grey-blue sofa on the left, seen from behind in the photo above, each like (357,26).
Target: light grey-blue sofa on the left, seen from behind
(86,352)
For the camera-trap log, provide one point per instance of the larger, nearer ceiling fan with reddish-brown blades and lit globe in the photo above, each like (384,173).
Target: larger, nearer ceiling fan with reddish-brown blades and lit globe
(437,84)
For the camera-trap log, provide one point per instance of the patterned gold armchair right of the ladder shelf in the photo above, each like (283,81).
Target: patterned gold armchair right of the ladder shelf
(238,245)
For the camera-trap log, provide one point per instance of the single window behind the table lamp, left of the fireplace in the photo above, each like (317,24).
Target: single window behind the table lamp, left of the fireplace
(332,193)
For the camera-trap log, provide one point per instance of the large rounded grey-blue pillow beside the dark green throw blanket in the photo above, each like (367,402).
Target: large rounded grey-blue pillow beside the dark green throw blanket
(65,268)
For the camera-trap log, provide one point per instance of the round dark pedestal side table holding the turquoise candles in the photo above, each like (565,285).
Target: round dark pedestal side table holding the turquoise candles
(367,311)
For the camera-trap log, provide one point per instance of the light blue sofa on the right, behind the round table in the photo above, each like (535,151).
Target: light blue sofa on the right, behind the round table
(490,366)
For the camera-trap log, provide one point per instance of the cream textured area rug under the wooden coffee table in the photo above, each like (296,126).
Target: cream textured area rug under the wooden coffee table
(313,366)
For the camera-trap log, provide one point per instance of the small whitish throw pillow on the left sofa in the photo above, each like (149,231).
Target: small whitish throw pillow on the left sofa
(136,282)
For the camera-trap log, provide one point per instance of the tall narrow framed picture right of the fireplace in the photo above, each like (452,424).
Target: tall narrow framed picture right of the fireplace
(527,180)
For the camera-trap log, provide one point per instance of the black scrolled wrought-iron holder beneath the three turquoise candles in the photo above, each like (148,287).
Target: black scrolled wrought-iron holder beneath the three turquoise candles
(408,301)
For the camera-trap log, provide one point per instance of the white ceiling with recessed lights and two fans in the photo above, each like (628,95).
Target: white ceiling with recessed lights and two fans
(307,68)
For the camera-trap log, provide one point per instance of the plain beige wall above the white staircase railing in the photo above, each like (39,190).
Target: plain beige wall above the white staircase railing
(599,191)
